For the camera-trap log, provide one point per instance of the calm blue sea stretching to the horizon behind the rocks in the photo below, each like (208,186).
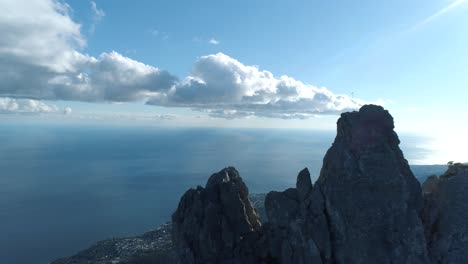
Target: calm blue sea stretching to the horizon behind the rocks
(63,188)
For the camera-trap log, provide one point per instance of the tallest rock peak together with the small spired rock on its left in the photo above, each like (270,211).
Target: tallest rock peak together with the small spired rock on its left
(363,204)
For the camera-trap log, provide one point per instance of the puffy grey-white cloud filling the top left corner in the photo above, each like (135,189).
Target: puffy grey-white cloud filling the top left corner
(38,34)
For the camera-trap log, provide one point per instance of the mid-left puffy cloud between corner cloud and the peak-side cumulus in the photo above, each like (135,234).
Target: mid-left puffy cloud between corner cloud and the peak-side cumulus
(112,77)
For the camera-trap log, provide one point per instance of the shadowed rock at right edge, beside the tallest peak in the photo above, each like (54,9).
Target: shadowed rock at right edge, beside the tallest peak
(446,216)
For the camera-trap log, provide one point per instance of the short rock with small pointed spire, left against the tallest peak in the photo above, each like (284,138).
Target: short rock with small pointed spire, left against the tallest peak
(298,229)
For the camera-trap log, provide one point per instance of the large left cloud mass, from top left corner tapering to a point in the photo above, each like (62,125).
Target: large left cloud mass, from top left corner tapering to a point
(40,58)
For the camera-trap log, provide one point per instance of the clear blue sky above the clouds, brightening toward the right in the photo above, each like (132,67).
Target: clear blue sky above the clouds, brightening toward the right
(375,48)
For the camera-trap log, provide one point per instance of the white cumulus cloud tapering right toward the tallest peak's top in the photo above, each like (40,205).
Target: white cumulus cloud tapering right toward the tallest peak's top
(224,87)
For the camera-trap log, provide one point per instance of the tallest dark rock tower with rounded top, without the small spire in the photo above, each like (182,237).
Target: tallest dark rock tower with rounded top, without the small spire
(372,199)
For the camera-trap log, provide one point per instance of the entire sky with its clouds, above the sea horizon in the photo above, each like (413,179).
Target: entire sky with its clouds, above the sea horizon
(282,64)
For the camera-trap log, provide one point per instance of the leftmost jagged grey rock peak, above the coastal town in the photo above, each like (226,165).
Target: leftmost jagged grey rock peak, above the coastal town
(216,224)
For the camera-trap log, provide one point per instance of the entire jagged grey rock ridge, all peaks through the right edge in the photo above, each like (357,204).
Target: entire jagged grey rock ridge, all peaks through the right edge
(366,207)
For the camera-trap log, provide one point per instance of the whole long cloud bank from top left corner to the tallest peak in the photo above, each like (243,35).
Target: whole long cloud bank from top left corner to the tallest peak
(41,58)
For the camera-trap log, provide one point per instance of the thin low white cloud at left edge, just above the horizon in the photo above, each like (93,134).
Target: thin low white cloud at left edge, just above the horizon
(25,106)
